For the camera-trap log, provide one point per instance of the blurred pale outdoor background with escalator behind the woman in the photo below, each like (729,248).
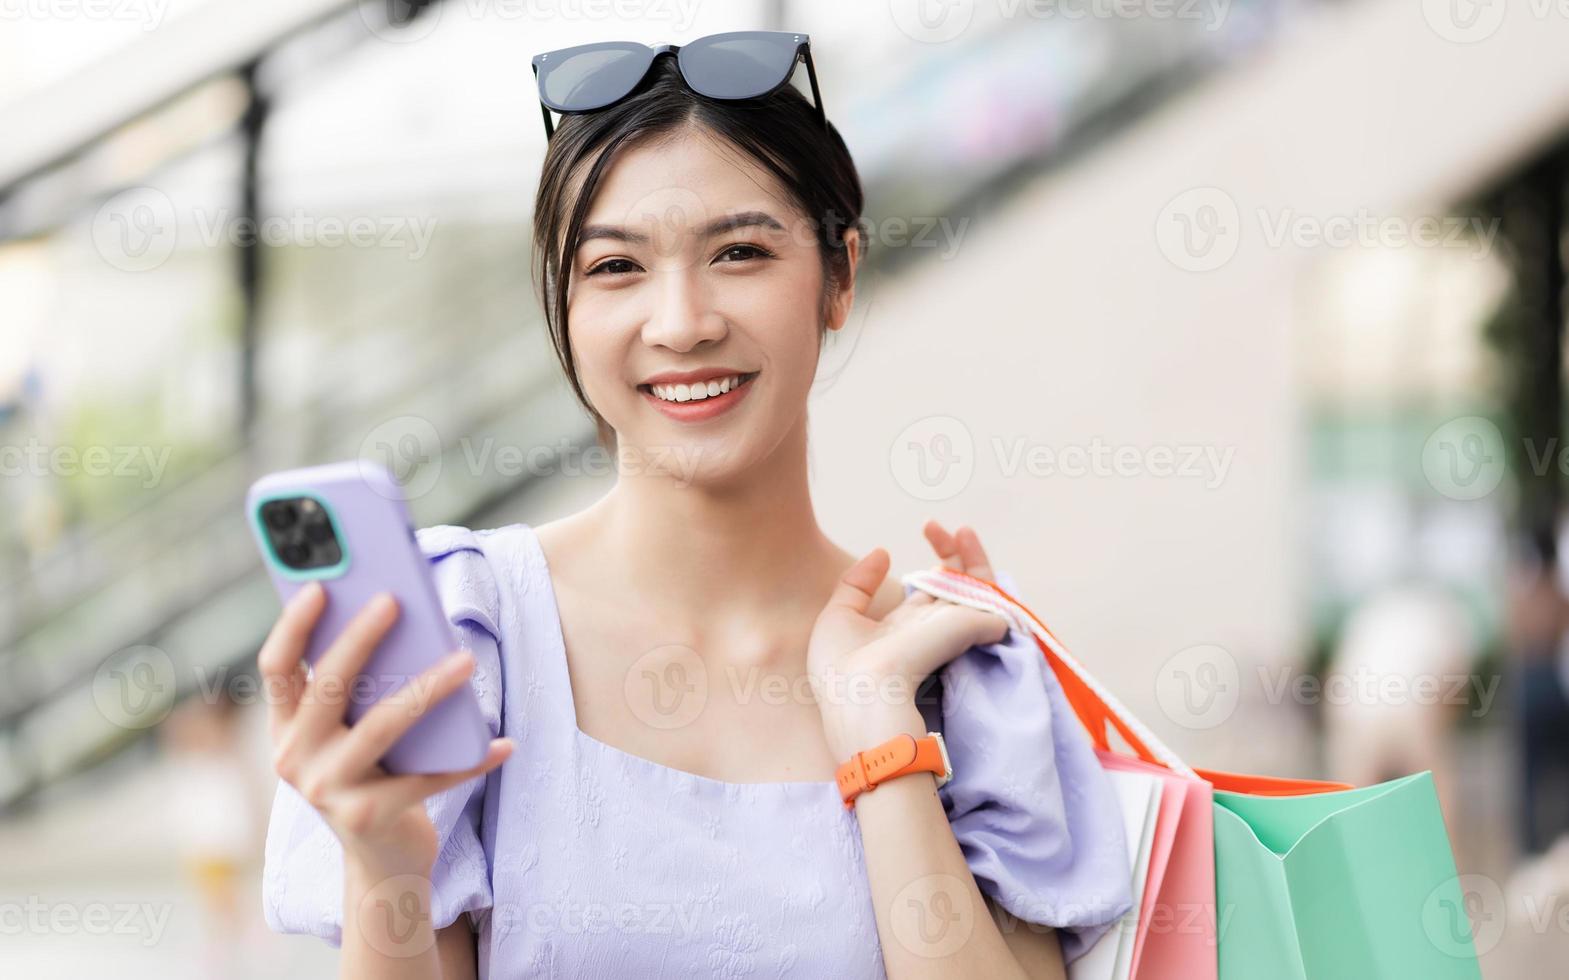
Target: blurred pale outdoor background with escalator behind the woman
(1236,328)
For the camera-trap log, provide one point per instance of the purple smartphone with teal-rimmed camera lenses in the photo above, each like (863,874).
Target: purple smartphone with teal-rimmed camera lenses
(346,526)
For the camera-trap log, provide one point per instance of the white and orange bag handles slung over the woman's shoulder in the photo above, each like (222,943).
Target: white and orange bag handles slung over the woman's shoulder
(1091,702)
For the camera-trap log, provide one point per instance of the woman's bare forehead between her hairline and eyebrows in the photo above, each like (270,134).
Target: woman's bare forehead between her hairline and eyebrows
(685,183)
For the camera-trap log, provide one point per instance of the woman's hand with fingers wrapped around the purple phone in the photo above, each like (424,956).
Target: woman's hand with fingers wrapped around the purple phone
(379,818)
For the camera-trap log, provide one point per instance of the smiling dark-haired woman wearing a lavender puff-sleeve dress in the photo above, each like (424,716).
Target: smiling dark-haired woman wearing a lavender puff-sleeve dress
(677,673)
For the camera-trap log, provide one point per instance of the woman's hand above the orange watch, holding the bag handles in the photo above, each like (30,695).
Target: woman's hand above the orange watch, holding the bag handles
(865,672)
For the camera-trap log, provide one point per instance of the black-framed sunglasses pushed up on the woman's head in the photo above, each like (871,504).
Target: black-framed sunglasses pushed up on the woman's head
(740,65)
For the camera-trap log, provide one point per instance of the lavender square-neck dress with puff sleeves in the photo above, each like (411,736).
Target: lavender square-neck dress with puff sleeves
(580,860)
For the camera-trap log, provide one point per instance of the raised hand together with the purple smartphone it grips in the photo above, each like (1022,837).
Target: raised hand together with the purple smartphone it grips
(385,716)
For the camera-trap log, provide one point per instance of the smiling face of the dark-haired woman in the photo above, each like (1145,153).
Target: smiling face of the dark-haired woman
(696,270)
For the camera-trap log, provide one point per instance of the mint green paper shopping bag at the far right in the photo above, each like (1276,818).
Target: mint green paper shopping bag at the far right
(1355,885)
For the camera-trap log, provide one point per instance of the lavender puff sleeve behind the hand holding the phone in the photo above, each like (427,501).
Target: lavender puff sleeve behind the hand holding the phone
(304,874)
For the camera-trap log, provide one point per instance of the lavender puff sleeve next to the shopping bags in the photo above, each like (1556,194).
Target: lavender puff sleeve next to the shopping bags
(1035,815)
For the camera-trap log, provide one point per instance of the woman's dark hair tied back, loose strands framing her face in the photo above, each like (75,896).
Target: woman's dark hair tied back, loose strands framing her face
(781,132)
